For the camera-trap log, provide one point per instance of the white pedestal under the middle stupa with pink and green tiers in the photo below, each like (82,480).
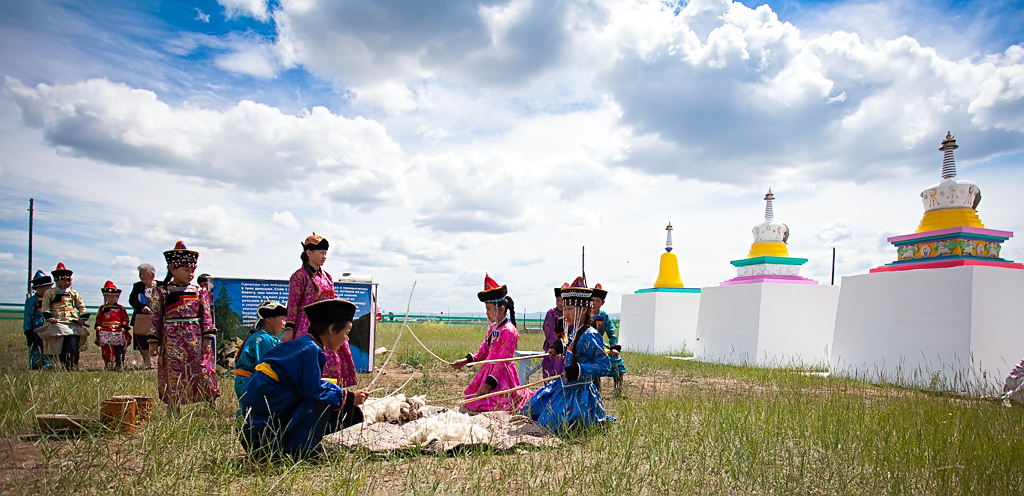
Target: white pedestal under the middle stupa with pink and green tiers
(766,324)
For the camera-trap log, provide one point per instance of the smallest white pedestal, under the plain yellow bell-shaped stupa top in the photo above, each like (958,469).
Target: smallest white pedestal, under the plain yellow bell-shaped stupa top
(659,322)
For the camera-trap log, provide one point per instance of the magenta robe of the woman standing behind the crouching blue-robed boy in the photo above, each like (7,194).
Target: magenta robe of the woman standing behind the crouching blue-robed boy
(305,290)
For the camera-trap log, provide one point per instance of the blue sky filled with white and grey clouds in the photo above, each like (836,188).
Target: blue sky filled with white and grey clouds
(437,142)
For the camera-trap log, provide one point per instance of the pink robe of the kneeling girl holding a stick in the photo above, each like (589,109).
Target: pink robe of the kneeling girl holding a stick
(501,344)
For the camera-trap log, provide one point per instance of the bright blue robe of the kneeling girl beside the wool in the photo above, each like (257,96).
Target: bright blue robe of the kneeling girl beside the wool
(563,403)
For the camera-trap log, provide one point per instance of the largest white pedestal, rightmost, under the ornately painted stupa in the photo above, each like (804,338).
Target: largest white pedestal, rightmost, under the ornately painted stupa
(954,329)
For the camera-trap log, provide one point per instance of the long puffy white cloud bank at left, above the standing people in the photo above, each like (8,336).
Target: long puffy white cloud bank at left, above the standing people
(251,144)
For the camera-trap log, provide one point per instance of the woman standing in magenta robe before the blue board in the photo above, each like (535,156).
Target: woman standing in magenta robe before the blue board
(309,285)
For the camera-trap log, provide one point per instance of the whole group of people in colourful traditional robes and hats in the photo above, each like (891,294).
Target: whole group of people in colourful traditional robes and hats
(292,369)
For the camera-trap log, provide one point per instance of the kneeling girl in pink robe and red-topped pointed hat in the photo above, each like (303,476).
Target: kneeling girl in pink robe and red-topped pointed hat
(500,344)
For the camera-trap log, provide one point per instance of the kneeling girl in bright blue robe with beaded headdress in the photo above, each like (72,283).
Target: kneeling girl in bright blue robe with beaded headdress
(573,400)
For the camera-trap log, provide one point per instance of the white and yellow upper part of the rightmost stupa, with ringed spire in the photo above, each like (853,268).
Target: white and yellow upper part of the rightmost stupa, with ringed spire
(953,203)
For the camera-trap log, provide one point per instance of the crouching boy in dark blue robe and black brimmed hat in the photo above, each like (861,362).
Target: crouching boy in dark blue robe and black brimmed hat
(286,405)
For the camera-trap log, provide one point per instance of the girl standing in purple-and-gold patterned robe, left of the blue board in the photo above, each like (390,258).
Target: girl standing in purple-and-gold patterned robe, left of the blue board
(184,332)
